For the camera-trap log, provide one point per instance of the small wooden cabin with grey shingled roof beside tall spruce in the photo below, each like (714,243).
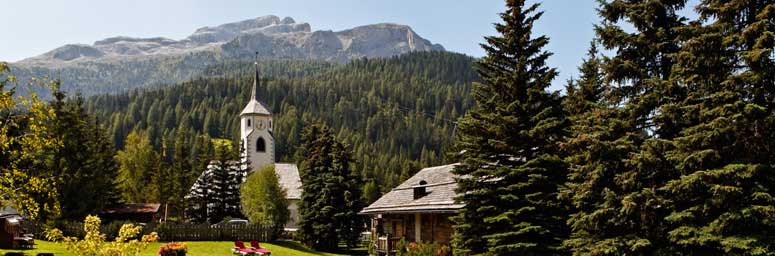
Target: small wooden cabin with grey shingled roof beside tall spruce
(418,210)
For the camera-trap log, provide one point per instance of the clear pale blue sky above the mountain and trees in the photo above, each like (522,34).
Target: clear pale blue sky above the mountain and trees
(33,27)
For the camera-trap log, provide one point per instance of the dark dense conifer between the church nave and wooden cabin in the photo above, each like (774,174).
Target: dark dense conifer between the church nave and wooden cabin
(331,192)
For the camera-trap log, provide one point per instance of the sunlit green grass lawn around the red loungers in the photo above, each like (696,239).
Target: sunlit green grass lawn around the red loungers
(279,248)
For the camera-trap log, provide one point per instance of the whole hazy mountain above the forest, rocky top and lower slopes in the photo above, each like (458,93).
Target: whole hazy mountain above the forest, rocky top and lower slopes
(121,63)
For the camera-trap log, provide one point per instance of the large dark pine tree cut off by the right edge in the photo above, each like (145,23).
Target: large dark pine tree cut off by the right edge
(722,202)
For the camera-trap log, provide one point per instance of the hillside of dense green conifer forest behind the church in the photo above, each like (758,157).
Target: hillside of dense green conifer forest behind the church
(397,113)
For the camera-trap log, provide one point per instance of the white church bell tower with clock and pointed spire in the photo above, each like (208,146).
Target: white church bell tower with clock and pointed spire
(256,127)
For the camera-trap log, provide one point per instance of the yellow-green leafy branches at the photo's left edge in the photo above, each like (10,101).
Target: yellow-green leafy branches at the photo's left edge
(24,137)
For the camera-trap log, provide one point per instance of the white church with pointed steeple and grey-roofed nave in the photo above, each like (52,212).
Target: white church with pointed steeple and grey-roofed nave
(257,140)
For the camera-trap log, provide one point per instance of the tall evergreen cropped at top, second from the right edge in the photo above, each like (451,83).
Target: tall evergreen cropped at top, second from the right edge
(622,159)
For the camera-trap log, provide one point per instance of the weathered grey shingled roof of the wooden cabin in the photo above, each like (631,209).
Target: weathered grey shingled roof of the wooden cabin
(439,197)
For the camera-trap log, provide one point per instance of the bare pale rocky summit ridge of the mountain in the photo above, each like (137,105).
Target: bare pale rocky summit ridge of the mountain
(269,35)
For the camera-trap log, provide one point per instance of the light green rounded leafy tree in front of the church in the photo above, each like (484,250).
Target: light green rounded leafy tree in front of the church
(263,200)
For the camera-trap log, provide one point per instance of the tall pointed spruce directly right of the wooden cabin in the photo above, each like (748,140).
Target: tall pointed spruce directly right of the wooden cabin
(511,165)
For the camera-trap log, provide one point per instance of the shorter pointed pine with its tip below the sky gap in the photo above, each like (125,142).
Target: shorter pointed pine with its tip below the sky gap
(594,148)
